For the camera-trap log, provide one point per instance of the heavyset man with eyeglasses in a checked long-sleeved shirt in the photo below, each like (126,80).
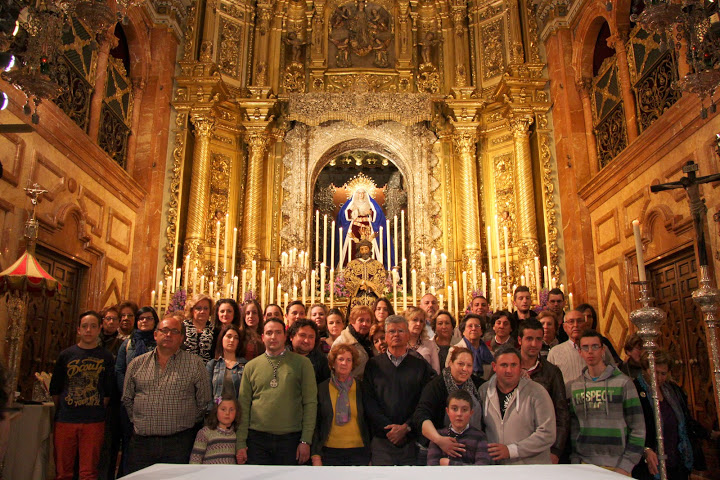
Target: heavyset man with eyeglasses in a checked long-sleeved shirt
(166,392)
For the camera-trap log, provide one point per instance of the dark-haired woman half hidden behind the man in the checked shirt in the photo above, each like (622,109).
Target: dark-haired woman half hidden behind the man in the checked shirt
(141,341)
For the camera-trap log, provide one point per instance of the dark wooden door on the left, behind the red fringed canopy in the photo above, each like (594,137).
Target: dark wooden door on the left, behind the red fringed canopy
(51,322)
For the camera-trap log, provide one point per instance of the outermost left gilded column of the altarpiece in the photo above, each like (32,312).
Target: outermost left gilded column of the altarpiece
(199,187)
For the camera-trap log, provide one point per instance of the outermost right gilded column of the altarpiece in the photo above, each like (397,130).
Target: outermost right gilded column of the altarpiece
(526,242)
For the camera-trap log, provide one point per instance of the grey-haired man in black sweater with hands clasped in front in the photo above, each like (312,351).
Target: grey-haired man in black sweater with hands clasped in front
(392,385)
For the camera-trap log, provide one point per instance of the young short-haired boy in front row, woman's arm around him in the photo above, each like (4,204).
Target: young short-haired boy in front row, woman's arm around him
(459,410)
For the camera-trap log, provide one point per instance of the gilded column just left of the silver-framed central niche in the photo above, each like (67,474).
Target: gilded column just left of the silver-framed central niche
(257,141)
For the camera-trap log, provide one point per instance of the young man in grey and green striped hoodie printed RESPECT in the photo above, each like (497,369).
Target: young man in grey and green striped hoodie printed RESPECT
(606,418)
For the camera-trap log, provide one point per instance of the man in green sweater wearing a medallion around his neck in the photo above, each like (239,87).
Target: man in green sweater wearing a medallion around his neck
(278,403)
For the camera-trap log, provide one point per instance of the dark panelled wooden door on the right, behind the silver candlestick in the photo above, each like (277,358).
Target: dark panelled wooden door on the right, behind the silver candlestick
(674,278)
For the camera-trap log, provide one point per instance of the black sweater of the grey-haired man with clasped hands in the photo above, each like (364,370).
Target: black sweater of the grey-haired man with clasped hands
(391,393)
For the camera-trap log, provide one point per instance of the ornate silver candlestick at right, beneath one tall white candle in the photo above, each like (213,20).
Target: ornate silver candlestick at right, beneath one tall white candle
(648,321)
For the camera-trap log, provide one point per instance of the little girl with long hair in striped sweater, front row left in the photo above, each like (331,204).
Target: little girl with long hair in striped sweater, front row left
(215,442)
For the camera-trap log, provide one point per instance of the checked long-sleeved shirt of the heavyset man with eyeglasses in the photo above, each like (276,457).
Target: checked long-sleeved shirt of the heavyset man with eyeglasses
(165,401)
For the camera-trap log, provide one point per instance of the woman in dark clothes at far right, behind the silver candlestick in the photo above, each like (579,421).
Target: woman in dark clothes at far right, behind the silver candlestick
(681,449)
